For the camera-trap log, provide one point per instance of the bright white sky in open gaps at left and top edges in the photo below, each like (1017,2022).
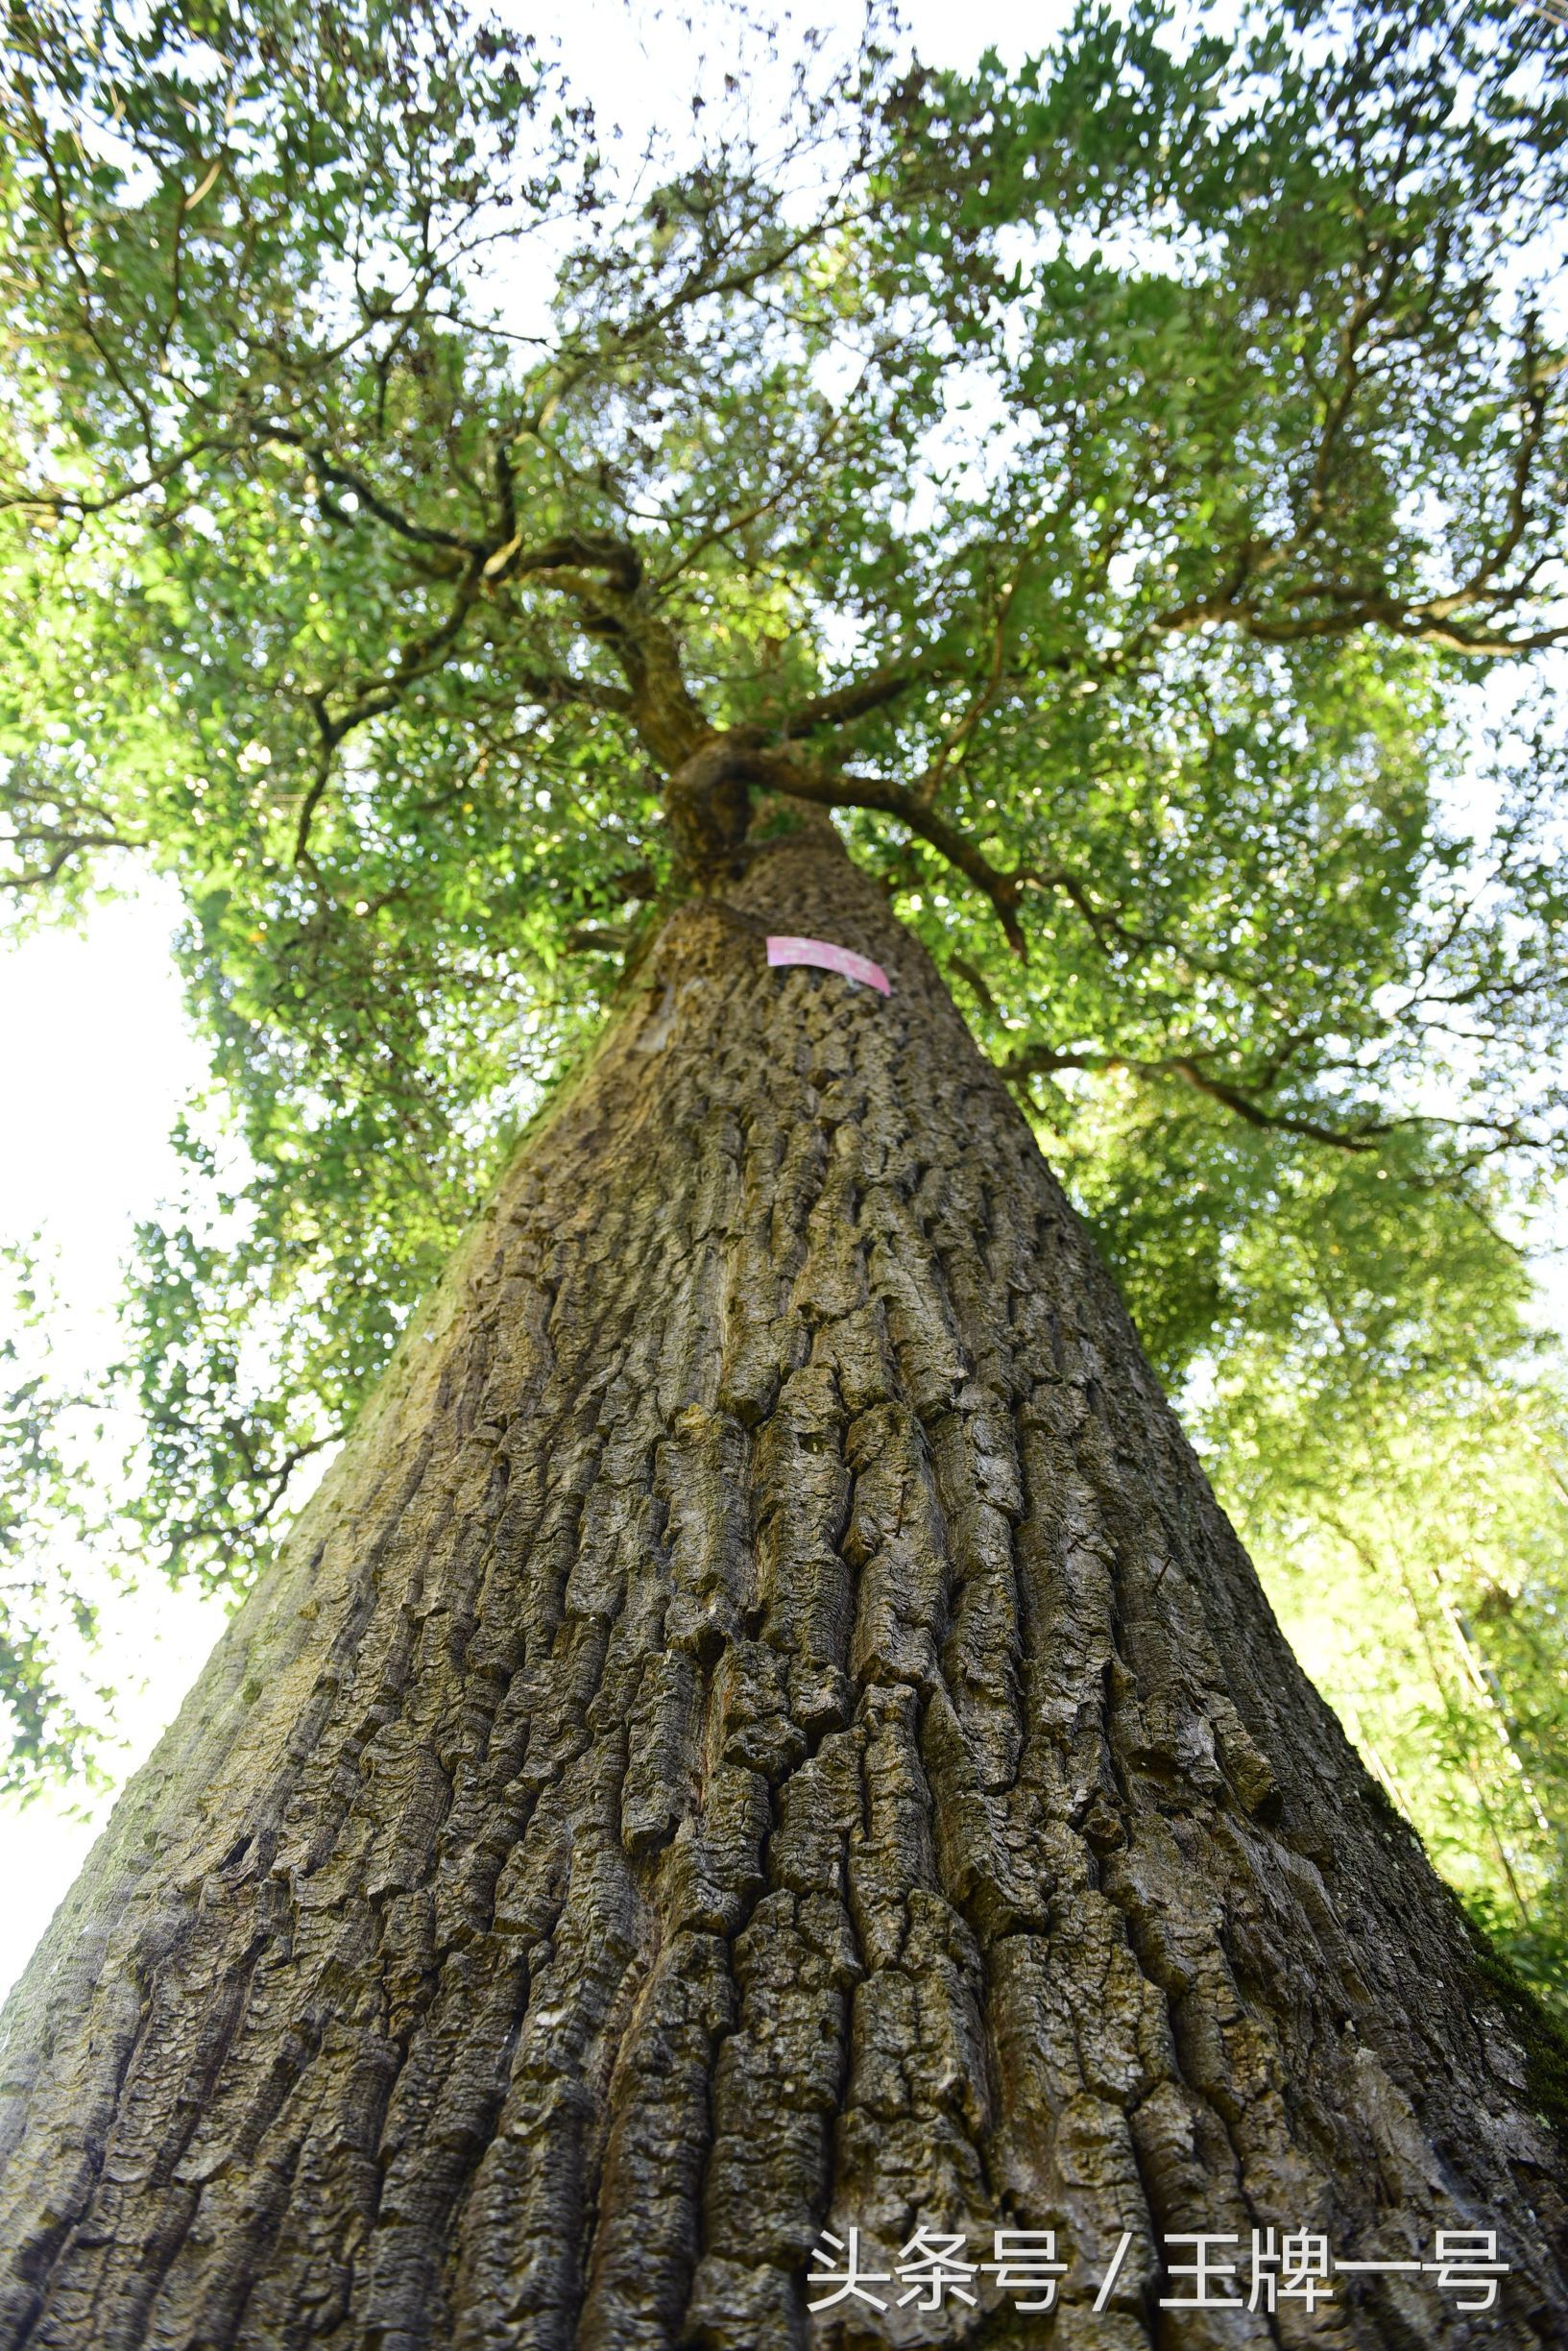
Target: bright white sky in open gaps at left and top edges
(95,1064)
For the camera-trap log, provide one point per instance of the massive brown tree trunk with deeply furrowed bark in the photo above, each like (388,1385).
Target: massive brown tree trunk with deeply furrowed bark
(765,1729)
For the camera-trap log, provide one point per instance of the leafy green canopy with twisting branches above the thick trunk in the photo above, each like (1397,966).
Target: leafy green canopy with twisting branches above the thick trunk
(1127,493)
